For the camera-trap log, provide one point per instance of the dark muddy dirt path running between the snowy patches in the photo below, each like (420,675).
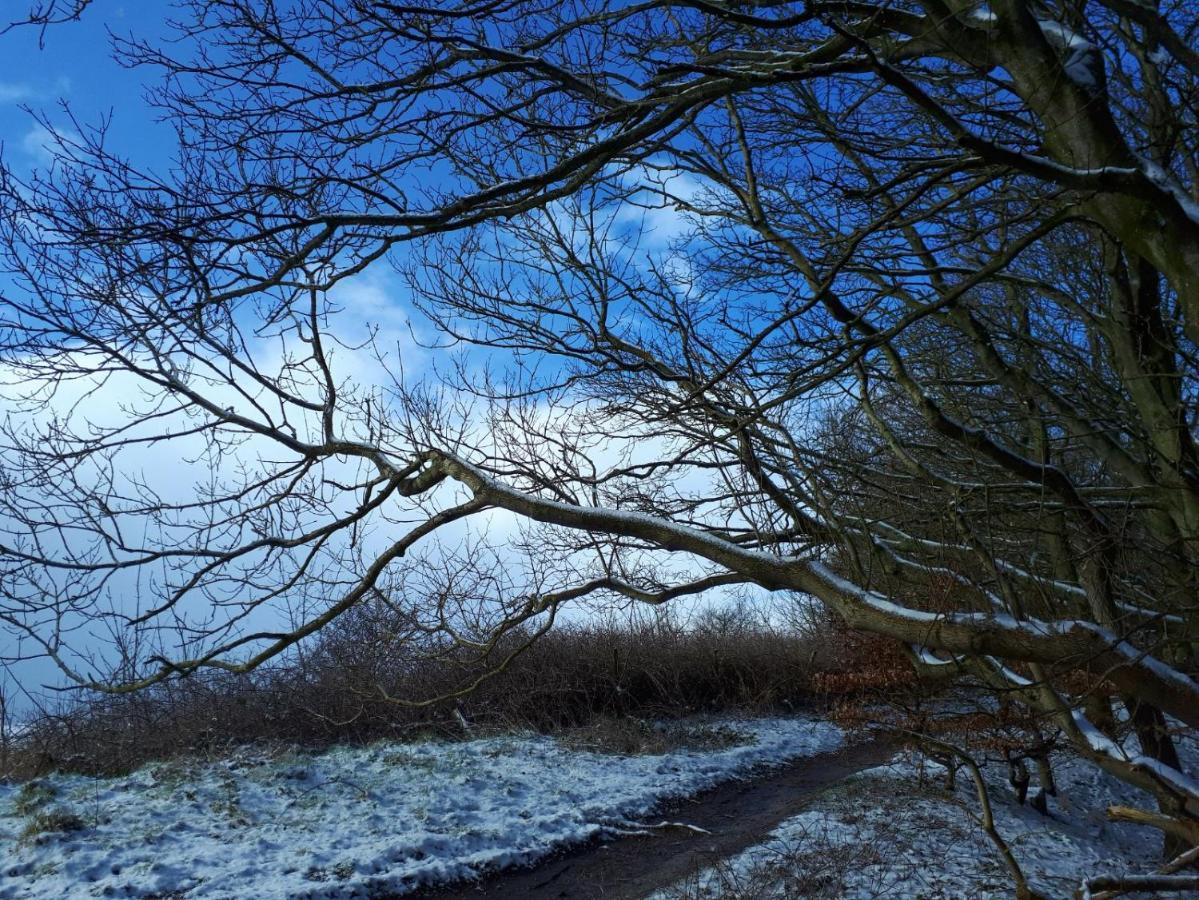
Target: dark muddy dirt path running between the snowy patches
(737,814)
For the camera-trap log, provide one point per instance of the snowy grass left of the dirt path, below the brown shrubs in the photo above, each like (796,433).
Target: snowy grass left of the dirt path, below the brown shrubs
(350,823)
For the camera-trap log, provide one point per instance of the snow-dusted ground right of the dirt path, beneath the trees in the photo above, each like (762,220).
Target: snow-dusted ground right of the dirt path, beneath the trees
(896,832)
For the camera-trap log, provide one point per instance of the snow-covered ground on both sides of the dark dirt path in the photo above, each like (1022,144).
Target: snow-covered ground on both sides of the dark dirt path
(394,817)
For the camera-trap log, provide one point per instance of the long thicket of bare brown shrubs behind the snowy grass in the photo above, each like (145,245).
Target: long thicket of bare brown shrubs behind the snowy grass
(600,685)
